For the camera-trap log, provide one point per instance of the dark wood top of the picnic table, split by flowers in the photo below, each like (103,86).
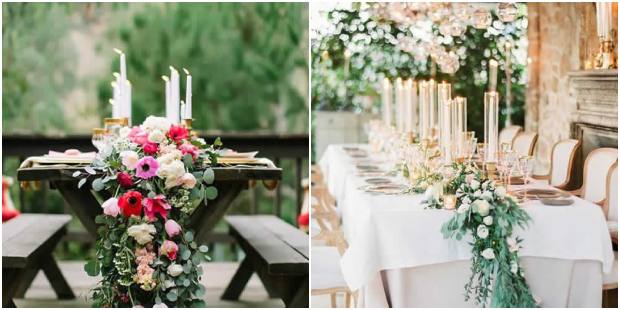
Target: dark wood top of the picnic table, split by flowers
(233,173)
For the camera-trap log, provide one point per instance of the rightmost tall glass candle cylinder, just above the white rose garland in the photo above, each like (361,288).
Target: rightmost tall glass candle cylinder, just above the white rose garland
(491,119)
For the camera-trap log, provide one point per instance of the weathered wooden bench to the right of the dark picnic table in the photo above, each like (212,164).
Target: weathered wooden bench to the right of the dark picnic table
(277,252)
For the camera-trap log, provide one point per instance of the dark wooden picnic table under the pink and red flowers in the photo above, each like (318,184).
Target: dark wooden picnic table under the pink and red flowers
(86,203)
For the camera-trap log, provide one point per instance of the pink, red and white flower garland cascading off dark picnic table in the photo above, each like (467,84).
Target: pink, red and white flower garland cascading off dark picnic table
(158,174)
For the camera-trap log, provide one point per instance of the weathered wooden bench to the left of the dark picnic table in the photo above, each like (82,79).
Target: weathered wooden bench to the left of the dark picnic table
(27,244)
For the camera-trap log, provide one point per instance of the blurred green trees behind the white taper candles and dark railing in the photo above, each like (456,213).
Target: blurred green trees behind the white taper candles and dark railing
(248,61)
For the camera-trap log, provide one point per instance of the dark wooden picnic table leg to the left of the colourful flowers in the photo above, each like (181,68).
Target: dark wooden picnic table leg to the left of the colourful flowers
(82,202)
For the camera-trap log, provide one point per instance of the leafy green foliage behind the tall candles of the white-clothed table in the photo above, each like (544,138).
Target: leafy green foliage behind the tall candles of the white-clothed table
(380,58)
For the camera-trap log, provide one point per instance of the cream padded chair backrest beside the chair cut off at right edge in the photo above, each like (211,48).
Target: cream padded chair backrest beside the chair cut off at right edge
(595,170)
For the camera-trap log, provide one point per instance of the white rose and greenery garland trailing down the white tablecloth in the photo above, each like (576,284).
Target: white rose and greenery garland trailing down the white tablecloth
(490,215)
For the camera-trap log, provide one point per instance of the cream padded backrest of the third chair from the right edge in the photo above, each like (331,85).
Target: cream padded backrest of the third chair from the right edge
(562,157)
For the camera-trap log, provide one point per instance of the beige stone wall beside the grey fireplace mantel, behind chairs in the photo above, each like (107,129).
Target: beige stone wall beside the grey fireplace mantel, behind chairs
(562,36)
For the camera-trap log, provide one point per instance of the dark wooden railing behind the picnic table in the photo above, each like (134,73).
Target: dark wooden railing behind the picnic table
(280,148)
